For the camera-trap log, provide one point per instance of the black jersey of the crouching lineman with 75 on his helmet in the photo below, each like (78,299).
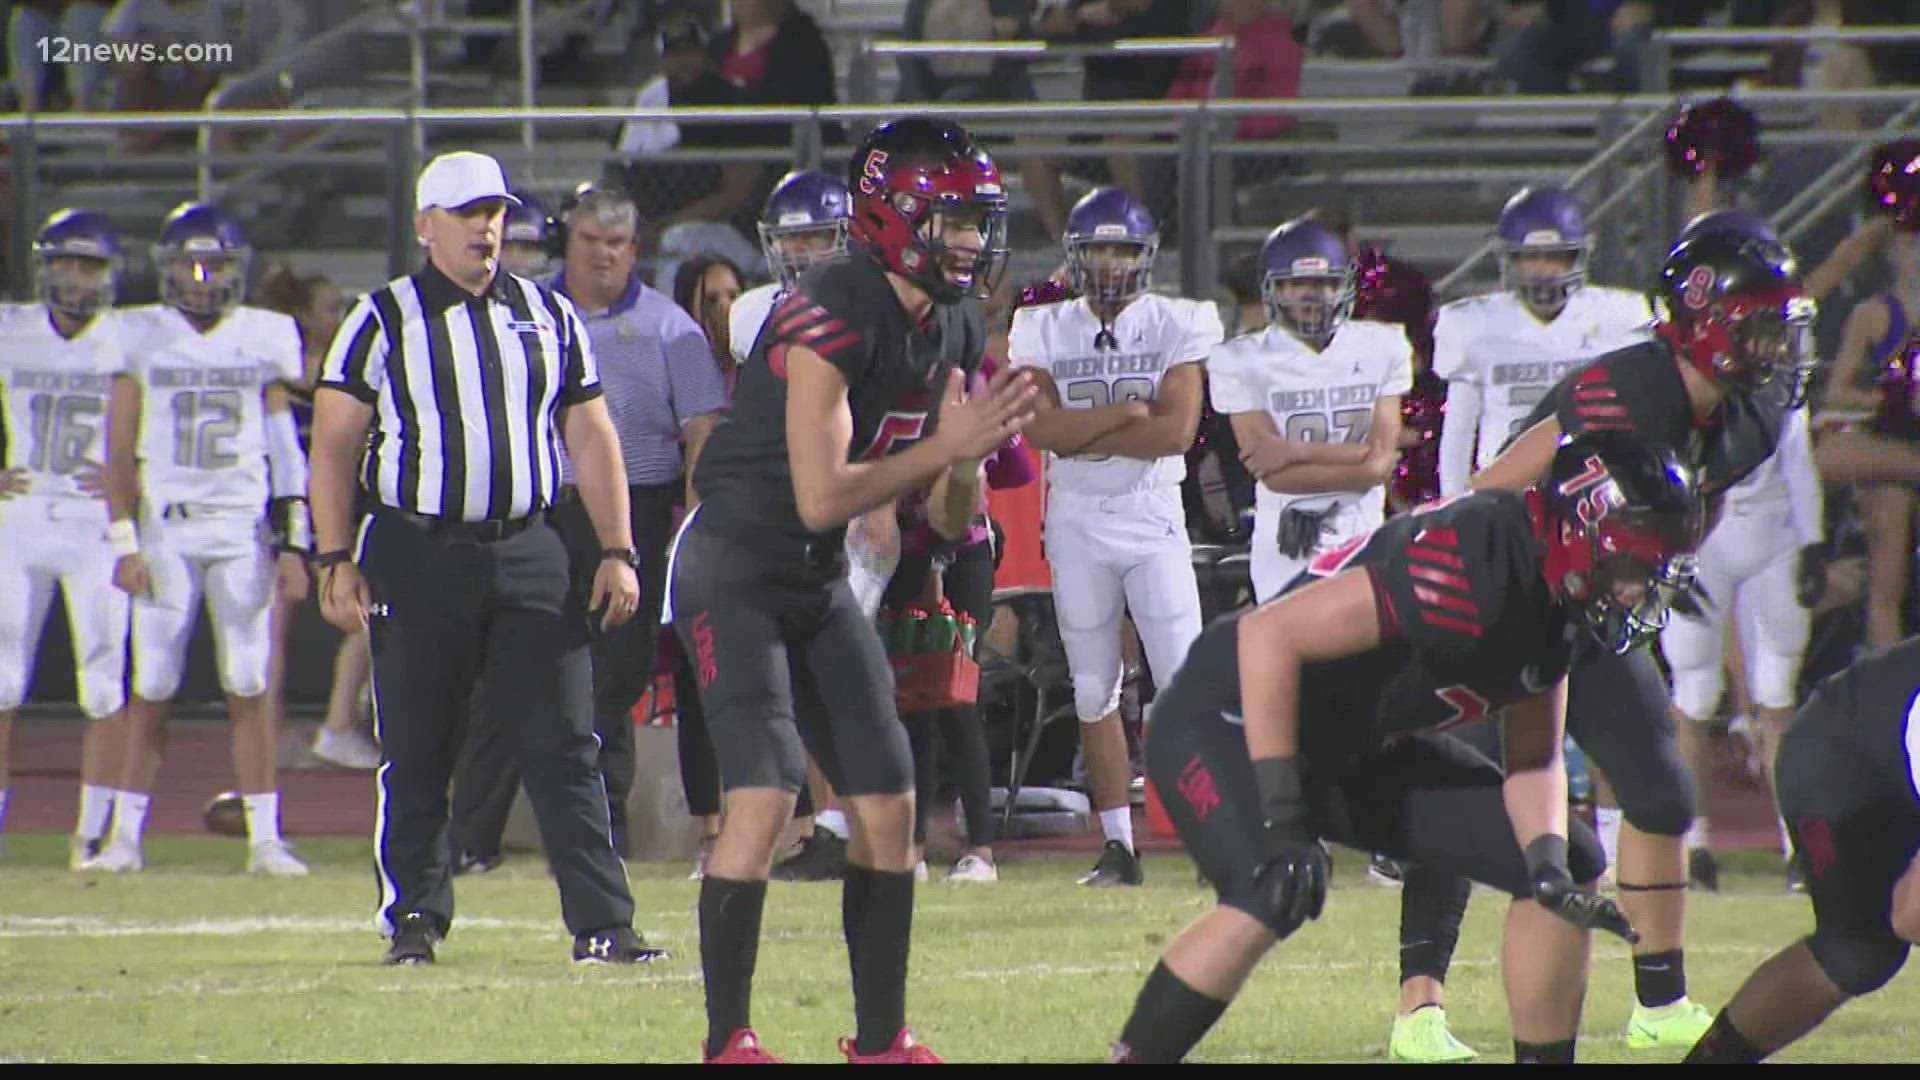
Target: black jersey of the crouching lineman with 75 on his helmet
(1468,627)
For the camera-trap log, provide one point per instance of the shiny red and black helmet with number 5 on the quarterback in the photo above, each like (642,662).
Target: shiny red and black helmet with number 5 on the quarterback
(909,178)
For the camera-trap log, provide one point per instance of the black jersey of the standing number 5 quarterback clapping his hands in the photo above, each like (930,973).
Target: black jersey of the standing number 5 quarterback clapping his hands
(896,372)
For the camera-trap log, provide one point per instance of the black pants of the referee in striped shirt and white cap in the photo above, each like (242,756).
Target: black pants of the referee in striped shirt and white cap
(500,614)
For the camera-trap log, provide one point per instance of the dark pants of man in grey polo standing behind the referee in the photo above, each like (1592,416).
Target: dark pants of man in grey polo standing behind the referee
(623,670)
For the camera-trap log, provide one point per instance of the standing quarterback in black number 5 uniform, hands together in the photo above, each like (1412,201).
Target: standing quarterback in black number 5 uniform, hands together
(852,399)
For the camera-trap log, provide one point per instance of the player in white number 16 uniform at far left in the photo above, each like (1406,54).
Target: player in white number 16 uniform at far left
(57,362)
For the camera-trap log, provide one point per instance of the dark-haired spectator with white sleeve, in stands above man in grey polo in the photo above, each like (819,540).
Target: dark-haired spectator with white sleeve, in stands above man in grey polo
(692,207)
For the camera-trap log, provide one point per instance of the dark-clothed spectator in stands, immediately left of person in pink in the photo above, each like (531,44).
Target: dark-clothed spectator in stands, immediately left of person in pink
(1122,78)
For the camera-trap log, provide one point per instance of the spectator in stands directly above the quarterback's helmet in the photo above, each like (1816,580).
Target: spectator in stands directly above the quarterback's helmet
(982,80)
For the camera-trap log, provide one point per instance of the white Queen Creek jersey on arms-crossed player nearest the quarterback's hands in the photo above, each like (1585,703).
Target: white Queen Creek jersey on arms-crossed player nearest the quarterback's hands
(1155,333)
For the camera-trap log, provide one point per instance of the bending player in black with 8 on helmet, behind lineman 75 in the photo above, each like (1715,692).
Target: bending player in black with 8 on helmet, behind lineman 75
(1725,364)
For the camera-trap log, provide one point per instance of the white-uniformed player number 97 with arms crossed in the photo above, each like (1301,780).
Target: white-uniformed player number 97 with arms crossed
(1314,403)
